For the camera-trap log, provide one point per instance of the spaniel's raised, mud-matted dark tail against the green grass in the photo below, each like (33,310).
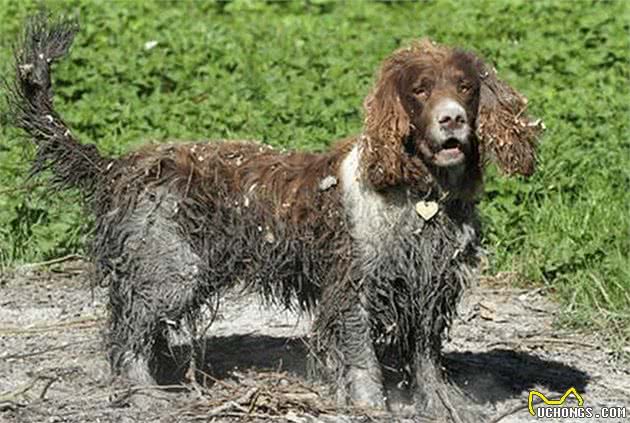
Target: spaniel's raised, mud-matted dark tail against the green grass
(30,103)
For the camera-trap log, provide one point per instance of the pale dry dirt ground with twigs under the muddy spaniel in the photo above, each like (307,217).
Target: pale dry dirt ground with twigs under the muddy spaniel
(53,367)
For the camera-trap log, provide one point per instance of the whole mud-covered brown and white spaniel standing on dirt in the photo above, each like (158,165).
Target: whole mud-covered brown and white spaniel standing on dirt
(339,234)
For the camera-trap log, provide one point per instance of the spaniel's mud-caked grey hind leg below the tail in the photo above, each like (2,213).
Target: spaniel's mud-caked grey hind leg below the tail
(156,289)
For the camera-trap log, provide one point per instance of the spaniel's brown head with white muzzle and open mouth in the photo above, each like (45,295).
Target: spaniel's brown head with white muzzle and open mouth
(424,112)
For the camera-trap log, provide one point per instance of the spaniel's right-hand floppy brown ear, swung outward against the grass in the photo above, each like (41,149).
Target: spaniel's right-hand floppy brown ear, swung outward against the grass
(508,136)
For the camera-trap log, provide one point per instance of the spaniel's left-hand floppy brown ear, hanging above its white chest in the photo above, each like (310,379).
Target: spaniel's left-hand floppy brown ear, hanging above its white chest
(386,127)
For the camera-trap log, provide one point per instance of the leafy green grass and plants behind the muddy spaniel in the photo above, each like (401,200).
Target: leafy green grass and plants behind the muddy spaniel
(295,74)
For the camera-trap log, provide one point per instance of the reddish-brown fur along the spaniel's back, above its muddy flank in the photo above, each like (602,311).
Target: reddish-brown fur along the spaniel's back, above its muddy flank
(288,182)
